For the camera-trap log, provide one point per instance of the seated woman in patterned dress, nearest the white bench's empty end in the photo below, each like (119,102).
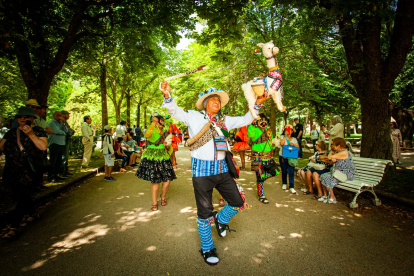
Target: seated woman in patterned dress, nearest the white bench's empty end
(342,160)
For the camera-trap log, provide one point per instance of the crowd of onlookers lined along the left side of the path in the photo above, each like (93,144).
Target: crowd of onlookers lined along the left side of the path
(32,147)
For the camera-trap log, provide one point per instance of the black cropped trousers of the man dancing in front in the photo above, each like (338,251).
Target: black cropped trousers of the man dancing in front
(203,191)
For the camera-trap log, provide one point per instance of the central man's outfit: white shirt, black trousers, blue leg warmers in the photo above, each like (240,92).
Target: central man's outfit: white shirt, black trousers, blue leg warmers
(209,168)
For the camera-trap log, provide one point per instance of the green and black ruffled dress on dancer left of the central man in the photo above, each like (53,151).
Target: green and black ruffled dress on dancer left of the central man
(155,163)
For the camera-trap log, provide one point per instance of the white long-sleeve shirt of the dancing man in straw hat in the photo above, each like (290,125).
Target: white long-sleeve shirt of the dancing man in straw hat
(195,120)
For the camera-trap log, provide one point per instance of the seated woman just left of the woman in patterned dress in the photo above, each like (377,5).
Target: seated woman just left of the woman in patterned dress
(306,173)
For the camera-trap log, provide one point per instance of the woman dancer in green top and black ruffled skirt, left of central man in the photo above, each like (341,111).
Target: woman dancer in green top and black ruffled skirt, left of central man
(155,163)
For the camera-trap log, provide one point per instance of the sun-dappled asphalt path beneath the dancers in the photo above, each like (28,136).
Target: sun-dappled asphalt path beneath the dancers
(107,228)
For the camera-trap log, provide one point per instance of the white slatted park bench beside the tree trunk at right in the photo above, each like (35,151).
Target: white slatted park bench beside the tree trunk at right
(368,174)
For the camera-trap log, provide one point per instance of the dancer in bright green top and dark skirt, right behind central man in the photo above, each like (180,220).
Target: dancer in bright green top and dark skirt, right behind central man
(262,148)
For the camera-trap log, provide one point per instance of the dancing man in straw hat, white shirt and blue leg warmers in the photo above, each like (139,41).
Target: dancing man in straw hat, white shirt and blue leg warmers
(208,163)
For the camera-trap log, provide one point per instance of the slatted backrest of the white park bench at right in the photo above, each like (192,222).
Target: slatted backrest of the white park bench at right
(370,170)
